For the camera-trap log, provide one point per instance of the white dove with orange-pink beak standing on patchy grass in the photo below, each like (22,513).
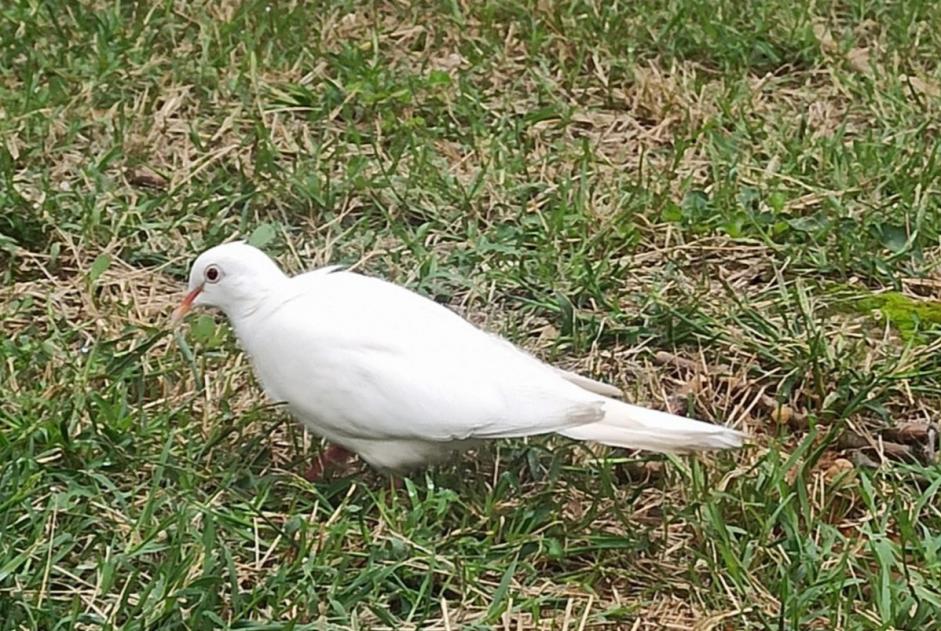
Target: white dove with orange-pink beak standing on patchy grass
(403,381)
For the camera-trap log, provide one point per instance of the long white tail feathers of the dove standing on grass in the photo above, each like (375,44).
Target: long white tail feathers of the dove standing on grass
(633,427)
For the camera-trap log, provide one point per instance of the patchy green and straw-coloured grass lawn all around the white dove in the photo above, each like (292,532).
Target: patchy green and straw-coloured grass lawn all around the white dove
(729,208)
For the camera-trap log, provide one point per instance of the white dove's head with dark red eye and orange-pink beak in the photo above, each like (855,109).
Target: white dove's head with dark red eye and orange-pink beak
(233,277)
